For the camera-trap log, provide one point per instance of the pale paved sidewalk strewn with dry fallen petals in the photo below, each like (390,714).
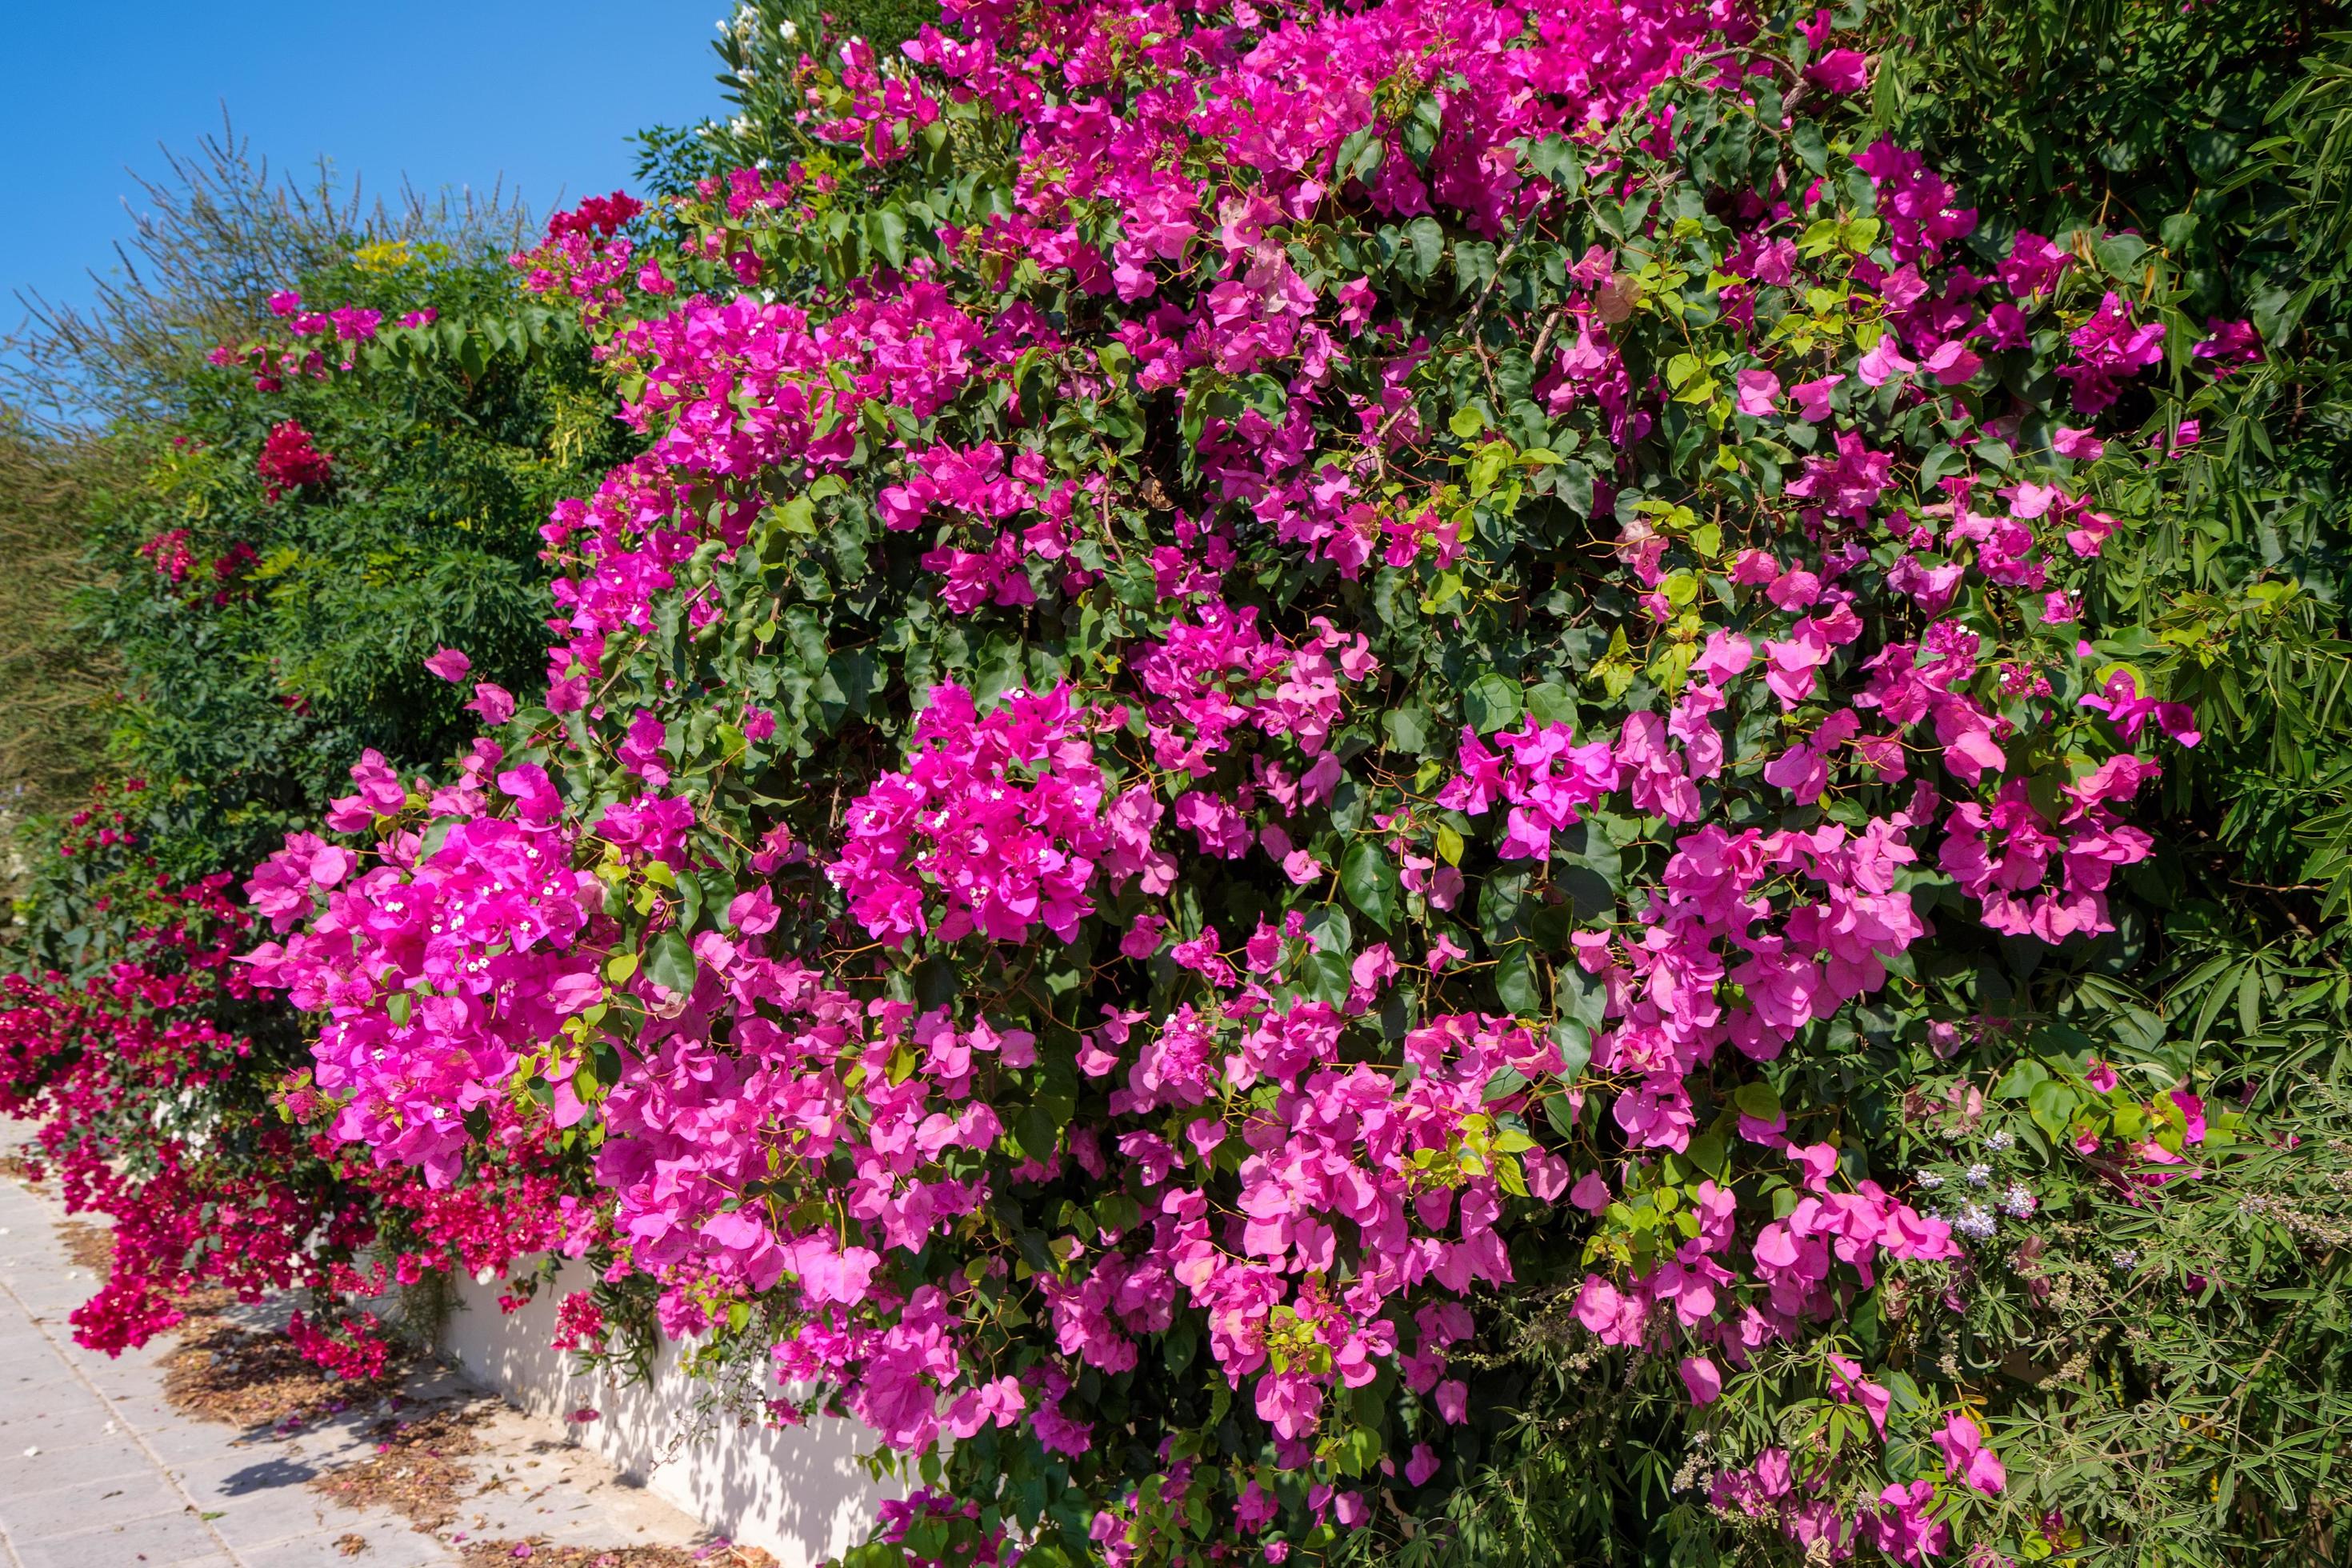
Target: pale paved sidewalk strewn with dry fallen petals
(100,1473)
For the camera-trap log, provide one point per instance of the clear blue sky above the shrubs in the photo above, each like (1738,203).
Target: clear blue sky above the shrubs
(443,93)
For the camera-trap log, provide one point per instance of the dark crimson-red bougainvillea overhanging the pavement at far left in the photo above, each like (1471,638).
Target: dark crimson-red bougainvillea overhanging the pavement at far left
(156,1073)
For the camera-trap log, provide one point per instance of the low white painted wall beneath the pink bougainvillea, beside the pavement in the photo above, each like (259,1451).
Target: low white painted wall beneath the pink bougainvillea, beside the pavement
(799,1494)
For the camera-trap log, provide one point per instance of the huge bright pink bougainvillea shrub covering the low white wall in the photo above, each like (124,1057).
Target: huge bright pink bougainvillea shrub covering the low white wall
(1304,716)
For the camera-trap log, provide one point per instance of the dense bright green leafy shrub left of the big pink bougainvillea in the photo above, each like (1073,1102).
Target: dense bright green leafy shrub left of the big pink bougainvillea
(255,692)
